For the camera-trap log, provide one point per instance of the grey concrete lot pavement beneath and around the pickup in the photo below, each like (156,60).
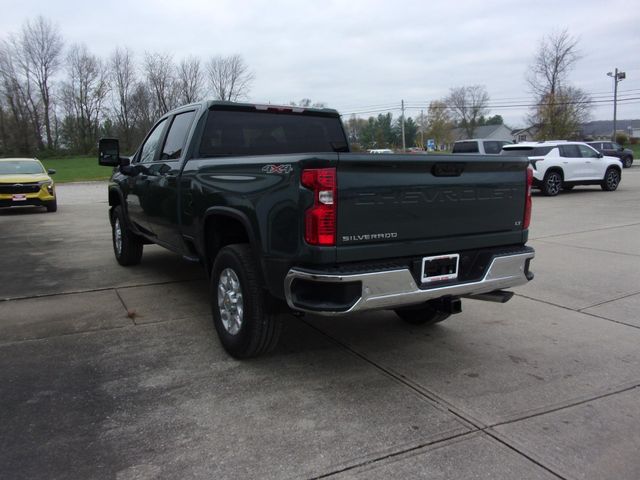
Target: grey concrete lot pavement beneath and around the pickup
(112,372)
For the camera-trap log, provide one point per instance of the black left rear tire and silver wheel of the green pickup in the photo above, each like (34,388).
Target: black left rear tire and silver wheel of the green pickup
(246,327)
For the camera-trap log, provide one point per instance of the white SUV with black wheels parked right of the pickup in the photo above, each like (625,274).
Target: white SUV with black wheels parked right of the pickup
(559,165)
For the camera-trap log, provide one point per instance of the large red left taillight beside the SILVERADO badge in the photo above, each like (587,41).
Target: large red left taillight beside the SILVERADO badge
(320,219)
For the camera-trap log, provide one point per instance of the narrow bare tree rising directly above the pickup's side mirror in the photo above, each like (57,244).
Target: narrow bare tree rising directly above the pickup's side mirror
(123,82)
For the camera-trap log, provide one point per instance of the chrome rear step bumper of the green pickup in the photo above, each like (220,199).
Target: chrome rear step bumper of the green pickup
(334,294)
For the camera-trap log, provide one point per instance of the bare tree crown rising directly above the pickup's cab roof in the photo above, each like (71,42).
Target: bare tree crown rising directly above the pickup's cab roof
(229,77)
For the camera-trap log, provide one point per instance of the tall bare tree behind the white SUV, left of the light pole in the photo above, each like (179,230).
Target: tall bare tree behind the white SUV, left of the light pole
(560,108)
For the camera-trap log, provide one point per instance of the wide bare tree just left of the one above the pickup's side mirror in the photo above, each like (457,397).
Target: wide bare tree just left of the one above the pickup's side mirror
(83,95)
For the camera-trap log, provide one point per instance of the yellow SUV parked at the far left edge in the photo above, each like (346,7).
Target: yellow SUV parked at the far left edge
(24,181)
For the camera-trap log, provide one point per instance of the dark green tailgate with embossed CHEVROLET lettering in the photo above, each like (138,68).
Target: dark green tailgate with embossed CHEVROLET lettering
(434,202)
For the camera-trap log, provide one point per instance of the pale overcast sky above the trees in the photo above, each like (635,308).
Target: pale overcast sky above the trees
(357,55)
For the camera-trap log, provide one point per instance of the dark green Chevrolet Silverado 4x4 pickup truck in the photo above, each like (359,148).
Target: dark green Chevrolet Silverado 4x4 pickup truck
(284,217)
